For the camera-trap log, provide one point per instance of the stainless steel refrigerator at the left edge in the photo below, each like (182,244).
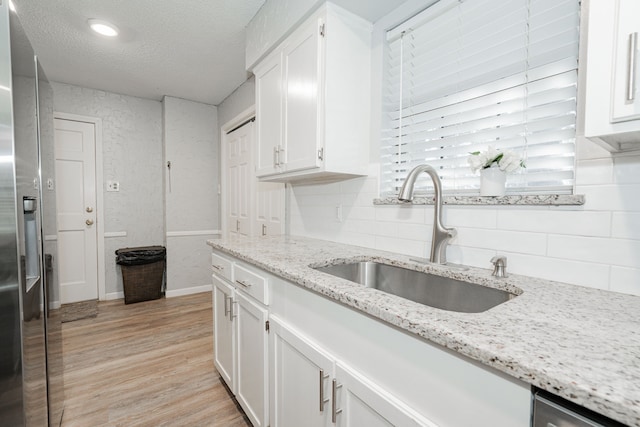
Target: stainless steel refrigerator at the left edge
(31,389)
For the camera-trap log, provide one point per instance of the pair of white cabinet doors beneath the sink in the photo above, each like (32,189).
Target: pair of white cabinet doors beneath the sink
(312,388)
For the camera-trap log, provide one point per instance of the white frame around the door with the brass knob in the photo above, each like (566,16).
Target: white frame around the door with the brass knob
(97,122)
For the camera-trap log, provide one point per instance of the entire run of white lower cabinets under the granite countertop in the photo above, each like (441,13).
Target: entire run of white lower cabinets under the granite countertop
(322,364)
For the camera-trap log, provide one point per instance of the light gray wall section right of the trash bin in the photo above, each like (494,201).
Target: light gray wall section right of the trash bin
(192,203)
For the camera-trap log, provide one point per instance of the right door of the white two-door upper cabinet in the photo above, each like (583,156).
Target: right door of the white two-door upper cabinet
(302,68)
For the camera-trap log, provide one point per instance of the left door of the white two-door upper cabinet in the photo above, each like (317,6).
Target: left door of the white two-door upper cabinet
(269,115)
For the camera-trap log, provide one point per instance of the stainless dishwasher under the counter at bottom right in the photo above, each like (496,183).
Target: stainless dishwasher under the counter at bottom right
(553,411)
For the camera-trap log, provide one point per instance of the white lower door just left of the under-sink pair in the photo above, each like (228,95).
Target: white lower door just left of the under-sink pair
(252,368)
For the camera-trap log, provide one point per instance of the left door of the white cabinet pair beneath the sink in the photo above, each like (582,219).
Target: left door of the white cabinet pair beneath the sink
(300,379)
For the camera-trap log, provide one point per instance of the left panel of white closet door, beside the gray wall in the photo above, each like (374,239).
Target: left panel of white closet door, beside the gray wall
(240,176)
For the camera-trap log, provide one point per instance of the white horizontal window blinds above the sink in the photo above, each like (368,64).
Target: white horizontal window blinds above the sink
(463,75)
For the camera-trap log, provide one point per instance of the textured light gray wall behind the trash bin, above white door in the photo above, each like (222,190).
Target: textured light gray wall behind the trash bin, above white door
(132,155)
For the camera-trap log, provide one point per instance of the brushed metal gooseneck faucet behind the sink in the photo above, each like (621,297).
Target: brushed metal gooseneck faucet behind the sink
(441,234)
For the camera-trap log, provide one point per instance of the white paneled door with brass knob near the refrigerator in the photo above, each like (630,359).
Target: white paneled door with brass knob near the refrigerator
(76,210)
